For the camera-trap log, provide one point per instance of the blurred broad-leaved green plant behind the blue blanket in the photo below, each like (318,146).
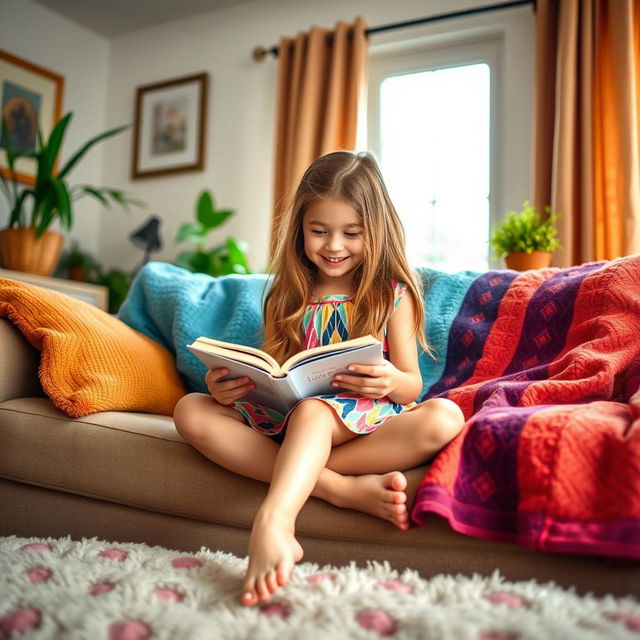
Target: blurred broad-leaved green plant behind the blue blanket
(222,259)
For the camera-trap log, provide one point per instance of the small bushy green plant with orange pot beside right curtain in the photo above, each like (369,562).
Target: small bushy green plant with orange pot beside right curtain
(526,239)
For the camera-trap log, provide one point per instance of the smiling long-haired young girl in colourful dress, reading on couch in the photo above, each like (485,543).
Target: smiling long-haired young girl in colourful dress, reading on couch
(339,271)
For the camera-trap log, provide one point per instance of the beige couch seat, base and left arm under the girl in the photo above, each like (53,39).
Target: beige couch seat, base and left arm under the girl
(130,477)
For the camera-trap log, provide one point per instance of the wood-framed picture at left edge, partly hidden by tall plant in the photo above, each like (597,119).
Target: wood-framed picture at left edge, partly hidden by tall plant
(31,100)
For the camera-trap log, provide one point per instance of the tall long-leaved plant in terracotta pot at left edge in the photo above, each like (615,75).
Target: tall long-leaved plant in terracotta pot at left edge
(28,243)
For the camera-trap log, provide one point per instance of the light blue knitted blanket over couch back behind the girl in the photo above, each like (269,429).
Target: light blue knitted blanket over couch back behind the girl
(174,307)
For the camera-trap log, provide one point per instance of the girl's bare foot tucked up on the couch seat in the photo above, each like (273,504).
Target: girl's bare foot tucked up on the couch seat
(384,496)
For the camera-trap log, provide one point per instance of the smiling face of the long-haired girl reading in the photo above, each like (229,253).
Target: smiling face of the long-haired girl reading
(333,241)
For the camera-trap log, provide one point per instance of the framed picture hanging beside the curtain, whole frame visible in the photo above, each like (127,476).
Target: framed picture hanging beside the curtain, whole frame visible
(170,126)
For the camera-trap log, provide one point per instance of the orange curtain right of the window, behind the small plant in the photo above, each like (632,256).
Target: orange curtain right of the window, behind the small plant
(587,140)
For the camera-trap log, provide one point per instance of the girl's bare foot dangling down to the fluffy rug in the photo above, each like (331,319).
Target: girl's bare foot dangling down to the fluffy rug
(273,550)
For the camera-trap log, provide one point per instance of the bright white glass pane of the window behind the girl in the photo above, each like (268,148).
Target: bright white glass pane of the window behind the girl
(435,156)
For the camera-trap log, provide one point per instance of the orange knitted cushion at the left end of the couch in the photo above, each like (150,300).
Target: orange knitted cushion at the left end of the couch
(91,361)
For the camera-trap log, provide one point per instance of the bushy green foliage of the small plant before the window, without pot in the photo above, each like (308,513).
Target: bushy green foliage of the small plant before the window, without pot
(527,231)
